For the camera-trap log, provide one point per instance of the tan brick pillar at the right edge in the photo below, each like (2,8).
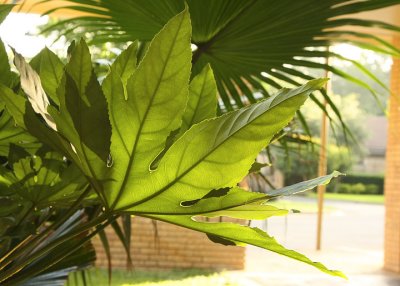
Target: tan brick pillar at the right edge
(392,175)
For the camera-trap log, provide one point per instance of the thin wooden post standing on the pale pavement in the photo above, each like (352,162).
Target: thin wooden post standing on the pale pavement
(322,163)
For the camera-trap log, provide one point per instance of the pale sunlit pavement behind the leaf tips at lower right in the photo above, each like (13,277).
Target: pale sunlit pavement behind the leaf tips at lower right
(352,242)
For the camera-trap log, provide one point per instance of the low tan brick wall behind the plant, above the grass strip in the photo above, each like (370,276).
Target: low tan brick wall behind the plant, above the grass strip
(173,247)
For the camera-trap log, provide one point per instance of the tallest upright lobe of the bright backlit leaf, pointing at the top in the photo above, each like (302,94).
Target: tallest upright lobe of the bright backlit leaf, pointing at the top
(157,95)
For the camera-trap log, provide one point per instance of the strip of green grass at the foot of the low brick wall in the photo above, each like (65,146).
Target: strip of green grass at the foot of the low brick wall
(192,277)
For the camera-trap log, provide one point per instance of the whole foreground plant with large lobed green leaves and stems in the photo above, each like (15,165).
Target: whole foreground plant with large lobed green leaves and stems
(98,145)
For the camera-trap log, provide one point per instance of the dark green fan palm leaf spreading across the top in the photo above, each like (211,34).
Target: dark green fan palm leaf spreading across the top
(250,45)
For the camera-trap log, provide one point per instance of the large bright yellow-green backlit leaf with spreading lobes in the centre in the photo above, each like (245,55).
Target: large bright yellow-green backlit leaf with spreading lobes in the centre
(213,155)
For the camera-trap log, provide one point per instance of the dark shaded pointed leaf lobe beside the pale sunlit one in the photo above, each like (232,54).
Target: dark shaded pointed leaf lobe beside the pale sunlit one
(82,110)
